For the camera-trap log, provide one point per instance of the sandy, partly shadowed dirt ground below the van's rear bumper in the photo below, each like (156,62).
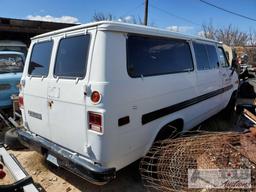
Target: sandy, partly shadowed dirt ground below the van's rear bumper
(55,179)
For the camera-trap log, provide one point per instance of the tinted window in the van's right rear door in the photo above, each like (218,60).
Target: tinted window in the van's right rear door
(71,59)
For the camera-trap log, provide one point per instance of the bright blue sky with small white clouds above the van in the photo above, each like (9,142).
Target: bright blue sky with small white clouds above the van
(186,15)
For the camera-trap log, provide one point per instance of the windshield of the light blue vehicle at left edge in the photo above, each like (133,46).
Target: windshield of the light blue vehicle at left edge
(11,63)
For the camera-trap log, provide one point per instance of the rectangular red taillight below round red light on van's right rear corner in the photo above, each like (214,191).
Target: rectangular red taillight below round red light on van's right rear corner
(95,121)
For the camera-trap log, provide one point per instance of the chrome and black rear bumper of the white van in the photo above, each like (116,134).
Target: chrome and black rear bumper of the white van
(69,160)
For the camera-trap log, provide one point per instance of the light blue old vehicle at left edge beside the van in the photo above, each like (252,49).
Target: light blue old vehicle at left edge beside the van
(11,66)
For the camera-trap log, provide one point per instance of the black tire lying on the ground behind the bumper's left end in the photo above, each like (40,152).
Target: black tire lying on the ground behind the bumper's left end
(11,139)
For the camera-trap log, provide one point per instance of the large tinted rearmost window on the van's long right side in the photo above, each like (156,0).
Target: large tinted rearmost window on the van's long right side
(149,56)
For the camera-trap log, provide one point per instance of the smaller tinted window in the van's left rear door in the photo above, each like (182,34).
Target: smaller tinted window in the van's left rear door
(40,59)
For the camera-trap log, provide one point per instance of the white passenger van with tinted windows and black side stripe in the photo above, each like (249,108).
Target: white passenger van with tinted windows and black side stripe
(95,97)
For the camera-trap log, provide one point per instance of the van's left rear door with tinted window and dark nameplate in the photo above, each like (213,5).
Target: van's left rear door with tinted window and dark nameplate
(35,88)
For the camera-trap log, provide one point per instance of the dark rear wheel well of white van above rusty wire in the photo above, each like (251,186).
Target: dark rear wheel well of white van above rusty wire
(170,129)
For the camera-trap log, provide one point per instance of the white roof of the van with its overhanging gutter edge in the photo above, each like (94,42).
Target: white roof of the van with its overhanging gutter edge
(125,27)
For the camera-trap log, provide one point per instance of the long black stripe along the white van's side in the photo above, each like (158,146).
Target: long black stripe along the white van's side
(148,117)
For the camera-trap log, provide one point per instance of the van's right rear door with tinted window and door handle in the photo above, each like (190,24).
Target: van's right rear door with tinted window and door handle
(66,92)
